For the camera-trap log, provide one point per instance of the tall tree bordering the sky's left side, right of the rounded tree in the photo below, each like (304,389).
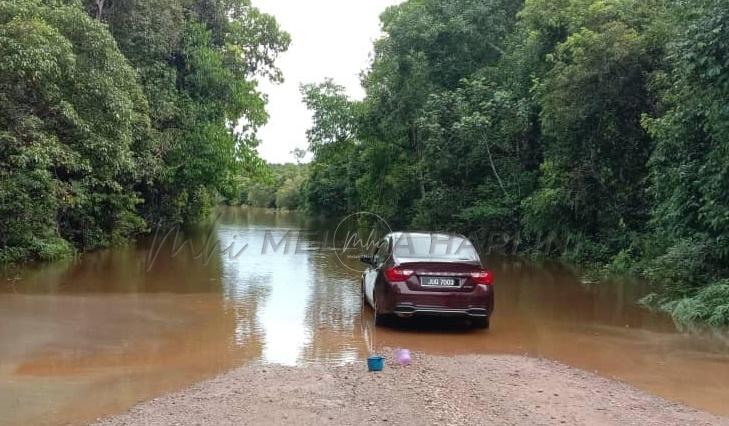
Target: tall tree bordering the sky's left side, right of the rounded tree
(199,62)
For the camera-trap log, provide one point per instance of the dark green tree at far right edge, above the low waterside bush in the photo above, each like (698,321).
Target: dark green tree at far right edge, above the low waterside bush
(690,165)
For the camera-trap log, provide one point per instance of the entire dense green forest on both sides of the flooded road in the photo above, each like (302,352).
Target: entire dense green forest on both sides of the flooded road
(591,131)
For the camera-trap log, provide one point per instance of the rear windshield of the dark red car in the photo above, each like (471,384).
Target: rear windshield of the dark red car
(434,247)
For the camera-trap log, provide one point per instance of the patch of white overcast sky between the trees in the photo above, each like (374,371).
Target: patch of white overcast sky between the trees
(329,38)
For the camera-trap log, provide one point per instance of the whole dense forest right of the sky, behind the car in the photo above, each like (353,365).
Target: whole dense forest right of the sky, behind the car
(594,131)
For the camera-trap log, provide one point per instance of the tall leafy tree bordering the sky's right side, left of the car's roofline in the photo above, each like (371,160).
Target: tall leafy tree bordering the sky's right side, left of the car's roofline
(429,47)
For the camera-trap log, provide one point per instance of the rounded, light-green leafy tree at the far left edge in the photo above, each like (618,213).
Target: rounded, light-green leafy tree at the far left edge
(72,119)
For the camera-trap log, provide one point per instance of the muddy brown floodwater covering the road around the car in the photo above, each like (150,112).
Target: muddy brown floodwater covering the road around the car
(93,336)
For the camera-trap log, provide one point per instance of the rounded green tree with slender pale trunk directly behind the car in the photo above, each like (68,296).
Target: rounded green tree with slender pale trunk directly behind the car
(478,137)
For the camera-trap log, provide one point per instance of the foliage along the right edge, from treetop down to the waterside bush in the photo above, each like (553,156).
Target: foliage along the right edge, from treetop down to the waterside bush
(689,167)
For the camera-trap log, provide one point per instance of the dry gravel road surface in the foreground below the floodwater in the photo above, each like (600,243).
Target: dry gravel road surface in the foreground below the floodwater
(493,389)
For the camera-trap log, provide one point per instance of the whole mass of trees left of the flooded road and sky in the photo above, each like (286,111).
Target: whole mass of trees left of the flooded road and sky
(117,116)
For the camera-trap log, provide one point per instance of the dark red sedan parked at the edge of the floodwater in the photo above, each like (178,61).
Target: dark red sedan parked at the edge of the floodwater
(427,273)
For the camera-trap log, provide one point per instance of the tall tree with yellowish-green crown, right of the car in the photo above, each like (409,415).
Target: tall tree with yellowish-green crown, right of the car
(591,98)
